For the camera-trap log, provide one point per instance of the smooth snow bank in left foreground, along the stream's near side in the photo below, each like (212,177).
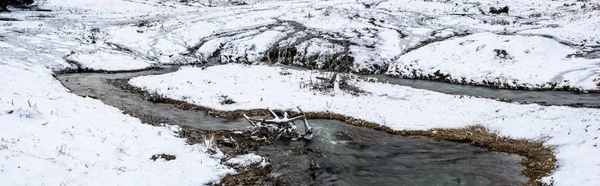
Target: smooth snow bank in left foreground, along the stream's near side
(51,137)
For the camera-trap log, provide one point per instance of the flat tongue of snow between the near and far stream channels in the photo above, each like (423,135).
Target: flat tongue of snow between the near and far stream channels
(574,131)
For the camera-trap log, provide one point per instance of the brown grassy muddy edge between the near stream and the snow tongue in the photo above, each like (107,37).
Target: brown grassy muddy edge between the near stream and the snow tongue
(539,162)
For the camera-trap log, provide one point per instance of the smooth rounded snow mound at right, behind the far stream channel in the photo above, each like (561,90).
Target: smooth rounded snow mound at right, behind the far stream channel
(532,62)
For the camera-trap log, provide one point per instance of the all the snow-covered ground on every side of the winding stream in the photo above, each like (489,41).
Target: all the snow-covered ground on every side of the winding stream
(49,136)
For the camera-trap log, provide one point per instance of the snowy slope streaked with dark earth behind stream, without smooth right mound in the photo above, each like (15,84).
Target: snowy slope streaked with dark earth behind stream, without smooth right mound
(364,35)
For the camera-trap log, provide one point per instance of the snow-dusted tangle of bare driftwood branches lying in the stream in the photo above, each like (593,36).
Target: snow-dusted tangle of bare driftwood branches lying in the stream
(282,125)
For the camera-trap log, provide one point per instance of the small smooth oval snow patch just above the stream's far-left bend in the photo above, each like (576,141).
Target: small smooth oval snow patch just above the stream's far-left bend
(109,60)
